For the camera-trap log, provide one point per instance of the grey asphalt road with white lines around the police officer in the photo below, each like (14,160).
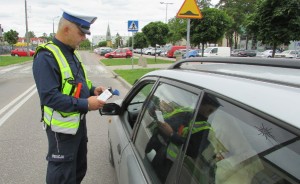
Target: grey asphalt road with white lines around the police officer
(23,143)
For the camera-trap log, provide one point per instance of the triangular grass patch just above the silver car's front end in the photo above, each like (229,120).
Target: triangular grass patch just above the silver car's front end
(133,74)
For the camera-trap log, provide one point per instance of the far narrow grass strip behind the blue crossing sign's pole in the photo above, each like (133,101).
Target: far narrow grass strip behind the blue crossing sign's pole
(127,61)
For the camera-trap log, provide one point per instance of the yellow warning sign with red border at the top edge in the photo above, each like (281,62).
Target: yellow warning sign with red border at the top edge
(189,10)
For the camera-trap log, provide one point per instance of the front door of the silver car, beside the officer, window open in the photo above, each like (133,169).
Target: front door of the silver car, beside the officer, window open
(120,134)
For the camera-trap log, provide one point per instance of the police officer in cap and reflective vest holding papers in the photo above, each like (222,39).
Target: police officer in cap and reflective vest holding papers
(66,95)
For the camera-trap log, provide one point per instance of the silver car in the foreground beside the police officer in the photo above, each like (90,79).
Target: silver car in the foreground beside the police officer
(209,120)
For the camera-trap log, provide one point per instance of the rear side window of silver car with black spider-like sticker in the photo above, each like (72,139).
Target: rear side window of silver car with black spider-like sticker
(242,147)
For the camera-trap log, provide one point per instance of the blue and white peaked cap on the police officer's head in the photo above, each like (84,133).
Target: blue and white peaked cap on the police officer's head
(82,21)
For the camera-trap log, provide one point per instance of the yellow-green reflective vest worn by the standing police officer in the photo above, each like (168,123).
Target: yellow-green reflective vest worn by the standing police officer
(62,122)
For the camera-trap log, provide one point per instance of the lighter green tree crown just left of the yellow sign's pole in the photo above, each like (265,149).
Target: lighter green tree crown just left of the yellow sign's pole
(177,29)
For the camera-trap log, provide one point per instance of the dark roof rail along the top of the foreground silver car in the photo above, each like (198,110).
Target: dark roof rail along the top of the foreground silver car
(275,62)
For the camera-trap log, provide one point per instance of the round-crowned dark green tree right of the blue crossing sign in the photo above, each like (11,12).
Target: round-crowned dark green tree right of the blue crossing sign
(156,33)
